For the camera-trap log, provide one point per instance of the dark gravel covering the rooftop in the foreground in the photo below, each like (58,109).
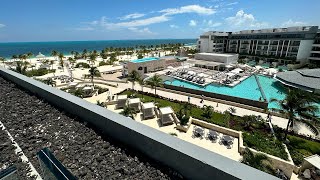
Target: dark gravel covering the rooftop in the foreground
(88,154)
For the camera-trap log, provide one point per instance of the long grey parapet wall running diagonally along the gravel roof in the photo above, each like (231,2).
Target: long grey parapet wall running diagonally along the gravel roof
(192,161)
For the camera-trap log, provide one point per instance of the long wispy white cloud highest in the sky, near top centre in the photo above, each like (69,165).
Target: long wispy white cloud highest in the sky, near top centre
(188,9)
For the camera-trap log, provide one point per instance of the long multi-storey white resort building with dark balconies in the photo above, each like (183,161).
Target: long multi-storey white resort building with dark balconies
(295,43)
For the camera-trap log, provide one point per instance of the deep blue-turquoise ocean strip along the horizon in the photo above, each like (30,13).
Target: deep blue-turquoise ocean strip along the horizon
(15,48)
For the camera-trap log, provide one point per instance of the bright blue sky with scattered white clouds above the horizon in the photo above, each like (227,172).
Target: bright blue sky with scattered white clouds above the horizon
(68,20)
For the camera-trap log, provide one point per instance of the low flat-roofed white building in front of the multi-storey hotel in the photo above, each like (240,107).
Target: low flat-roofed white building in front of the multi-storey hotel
(217,57)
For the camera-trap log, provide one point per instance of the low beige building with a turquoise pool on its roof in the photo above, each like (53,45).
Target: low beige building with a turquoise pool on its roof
(152,64)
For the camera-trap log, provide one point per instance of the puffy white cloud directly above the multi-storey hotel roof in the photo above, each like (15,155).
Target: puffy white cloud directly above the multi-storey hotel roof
(244,20)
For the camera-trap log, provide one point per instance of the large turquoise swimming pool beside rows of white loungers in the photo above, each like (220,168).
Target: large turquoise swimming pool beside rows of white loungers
(247,89)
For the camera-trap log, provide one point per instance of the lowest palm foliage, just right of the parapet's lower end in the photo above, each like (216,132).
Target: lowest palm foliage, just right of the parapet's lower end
(258,161)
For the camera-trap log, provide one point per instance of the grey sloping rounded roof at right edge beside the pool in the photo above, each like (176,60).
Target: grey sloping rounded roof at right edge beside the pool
(305,79)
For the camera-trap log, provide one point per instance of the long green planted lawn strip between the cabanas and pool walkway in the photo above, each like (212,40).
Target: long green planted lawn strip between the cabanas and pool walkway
(256,133)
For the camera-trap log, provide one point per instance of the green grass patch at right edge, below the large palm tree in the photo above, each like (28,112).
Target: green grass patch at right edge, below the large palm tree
(300,148)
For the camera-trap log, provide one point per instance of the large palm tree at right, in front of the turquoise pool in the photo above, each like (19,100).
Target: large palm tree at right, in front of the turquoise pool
(296,105)
